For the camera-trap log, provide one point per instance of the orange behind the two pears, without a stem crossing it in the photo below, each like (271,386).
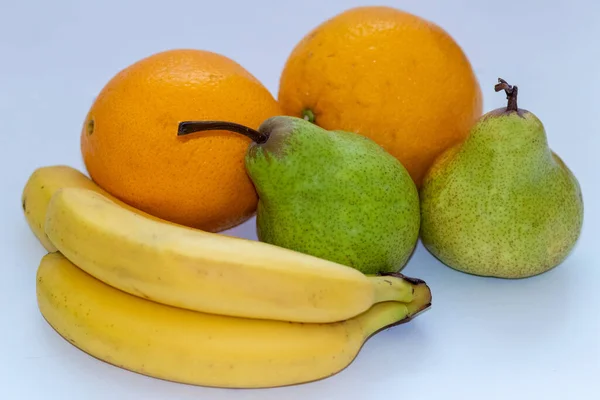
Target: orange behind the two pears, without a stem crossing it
(388,75)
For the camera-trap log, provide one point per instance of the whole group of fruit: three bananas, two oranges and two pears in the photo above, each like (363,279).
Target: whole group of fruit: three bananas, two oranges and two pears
(377,139)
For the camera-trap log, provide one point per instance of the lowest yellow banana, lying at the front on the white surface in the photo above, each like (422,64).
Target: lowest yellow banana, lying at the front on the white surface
(203,349)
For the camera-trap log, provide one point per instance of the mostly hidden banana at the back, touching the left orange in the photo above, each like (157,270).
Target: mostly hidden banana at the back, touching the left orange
(43,183)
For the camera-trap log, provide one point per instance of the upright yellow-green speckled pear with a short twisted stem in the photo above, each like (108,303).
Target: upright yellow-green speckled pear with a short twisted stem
(502,203)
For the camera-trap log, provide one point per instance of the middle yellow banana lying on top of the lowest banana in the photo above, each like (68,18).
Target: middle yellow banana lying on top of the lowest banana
(209,272)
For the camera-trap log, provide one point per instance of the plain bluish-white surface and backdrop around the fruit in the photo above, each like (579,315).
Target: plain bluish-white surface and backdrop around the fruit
(483,338)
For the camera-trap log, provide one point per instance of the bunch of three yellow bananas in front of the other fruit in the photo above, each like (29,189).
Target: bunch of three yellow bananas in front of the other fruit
(194,307)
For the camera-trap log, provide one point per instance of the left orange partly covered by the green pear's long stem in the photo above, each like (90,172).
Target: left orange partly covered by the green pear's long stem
(131,149)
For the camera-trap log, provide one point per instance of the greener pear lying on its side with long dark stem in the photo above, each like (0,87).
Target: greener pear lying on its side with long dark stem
(331,194)
